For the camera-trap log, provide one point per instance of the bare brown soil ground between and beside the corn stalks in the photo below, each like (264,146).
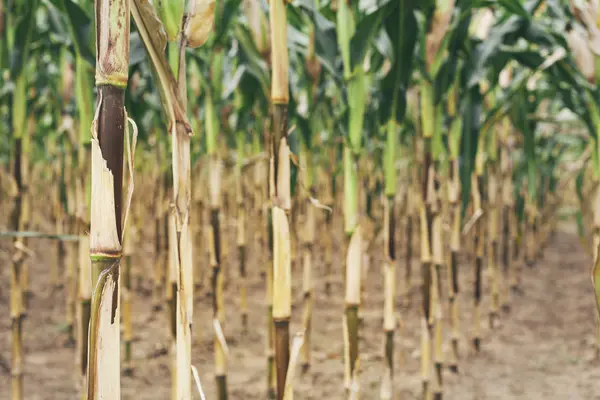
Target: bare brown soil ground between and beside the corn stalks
(543,347)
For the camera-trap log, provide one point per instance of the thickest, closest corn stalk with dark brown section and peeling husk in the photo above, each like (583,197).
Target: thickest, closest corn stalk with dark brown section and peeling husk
(108,130)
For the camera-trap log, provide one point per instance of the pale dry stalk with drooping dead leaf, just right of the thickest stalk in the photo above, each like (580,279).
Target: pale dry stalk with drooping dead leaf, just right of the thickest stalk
(173,92)
